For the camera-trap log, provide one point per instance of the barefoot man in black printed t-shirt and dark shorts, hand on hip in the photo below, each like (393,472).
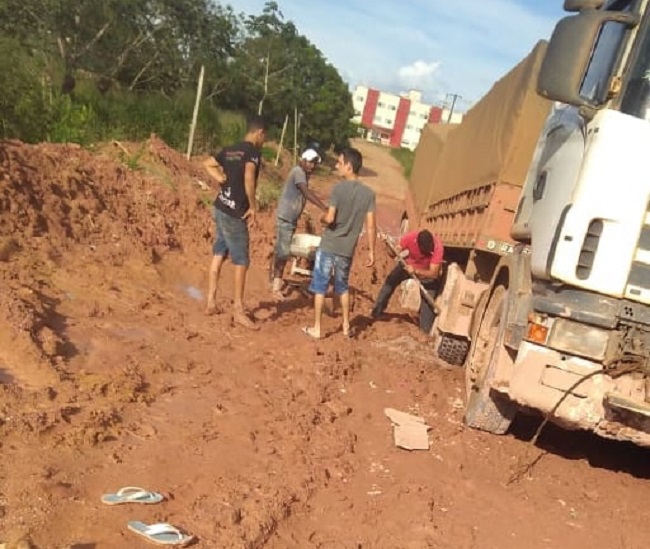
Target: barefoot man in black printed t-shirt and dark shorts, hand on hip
(236,168)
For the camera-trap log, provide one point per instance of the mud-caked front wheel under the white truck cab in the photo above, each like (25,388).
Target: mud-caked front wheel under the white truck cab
(487,410)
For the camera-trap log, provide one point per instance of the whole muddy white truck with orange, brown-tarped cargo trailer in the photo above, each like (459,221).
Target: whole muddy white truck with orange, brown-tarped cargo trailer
(555,317)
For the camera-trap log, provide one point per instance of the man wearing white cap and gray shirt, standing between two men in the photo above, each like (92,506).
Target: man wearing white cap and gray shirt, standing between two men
(292,202)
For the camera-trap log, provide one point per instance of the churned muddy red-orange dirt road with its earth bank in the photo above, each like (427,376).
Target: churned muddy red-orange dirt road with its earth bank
(112,376)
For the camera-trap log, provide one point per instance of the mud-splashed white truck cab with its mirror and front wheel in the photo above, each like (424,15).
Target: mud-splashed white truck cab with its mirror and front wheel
(565,326)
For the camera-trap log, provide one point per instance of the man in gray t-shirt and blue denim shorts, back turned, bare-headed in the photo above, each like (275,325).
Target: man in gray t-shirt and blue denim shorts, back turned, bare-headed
(351,204)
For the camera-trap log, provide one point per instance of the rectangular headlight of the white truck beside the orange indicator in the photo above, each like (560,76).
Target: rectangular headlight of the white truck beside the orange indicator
(578,339)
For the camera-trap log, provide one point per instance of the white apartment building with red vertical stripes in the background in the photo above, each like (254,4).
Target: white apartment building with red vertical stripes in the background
(396,120)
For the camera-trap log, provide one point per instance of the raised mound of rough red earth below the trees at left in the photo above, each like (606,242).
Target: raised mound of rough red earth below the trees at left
(56,196)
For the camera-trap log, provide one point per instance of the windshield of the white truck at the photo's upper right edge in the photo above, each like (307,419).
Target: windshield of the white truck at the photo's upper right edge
(636,97)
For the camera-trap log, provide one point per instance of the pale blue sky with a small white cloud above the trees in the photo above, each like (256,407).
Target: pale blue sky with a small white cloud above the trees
(440,47)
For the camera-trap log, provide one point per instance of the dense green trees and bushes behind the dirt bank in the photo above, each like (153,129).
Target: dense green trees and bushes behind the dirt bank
(83,71)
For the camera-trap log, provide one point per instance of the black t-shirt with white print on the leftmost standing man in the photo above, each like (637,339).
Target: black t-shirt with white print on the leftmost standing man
(232,197)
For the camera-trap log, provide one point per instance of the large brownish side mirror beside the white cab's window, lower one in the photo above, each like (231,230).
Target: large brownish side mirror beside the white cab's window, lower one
(569,55)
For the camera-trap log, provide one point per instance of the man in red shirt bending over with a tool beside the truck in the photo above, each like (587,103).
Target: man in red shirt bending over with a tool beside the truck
(422,254)
